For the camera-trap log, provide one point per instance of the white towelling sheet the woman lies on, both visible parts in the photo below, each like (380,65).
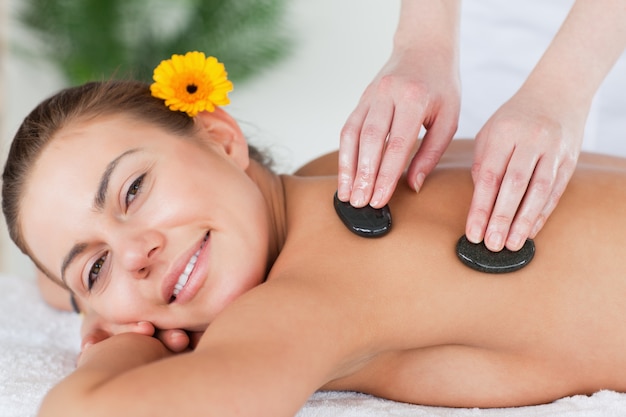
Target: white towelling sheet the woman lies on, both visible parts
(39,346)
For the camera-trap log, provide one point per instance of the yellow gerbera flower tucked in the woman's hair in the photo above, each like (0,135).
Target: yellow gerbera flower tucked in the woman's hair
(191,83)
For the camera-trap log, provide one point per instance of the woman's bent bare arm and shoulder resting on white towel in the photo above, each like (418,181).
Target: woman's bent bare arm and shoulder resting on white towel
(264,356)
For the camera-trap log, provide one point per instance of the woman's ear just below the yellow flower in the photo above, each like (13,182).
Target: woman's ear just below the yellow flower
(220,128)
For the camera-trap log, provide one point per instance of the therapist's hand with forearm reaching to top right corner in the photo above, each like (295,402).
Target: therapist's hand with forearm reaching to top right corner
(526,153)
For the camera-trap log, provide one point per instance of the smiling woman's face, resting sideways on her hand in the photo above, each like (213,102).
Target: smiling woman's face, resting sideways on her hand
(144,225)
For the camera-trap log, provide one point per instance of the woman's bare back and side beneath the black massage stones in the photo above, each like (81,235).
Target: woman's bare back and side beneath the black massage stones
(558,319)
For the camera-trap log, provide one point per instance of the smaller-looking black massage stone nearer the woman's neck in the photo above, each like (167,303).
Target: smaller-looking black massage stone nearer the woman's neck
(365,221)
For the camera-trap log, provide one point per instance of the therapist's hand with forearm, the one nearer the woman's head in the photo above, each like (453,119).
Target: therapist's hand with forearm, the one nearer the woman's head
(418,86)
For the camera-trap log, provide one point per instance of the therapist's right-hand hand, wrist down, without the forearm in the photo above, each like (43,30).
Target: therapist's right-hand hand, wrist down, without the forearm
(524,158)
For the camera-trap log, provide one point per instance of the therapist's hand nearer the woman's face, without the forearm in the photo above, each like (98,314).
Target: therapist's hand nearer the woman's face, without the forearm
(412,90)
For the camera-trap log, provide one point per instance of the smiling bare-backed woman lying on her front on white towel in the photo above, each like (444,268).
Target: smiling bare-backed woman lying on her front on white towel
(163,219)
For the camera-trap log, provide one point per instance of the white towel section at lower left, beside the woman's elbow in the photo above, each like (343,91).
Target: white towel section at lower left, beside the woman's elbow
(39,346)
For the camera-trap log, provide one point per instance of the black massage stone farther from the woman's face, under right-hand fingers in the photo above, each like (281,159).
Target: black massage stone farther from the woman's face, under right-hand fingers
(478,257)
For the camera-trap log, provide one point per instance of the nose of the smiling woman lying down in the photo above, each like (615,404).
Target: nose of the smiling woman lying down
(138,252)
